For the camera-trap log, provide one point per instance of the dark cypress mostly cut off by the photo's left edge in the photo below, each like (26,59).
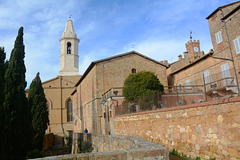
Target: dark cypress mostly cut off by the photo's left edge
(2,73)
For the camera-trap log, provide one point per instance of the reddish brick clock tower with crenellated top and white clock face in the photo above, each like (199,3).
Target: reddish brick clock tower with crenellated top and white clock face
(193,50)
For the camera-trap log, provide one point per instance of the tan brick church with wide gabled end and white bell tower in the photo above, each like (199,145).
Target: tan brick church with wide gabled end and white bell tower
(74,101)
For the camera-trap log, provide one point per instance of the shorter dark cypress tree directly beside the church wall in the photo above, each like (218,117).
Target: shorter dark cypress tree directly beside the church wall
(37,102)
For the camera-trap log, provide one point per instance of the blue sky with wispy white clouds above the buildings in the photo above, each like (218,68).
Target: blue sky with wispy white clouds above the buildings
(158,28)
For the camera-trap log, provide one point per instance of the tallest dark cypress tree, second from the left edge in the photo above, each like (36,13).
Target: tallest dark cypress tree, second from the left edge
(18,129)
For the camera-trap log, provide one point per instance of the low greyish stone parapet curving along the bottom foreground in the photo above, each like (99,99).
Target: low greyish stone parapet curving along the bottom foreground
(117,148)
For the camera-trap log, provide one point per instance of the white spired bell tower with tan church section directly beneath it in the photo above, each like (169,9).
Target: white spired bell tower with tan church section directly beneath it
(58,90)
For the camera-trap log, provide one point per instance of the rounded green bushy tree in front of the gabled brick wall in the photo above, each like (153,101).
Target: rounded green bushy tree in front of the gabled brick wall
(139,85)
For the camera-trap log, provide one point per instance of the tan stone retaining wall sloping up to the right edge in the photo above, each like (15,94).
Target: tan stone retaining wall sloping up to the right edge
(206,130)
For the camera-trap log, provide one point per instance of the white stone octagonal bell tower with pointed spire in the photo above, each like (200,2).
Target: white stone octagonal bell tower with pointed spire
(69,51)
